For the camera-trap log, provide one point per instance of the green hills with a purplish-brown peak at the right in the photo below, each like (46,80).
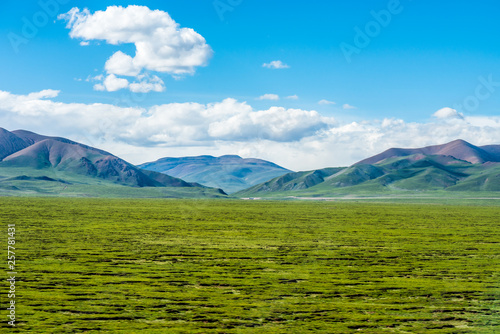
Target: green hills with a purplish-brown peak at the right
(456,166)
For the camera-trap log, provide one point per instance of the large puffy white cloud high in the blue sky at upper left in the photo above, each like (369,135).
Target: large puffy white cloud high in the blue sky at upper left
(161,45)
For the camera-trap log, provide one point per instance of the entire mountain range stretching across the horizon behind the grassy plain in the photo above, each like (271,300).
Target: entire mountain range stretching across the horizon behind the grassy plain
(33,164)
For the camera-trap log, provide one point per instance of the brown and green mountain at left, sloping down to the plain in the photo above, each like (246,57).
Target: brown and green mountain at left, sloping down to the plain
(41,165)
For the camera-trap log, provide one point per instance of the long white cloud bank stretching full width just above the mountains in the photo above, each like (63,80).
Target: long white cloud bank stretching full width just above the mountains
(295,138)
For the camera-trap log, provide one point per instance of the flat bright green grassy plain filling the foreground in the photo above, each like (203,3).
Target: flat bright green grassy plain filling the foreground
(228,266)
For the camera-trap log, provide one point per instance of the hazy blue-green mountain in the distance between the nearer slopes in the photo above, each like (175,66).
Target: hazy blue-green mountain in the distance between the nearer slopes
(229,172)
